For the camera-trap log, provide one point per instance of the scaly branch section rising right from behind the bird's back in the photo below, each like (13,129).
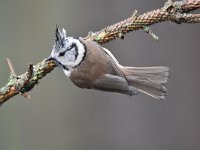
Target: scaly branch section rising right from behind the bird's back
(172,11)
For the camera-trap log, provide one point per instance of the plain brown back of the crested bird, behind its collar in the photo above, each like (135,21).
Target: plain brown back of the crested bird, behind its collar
(95,65)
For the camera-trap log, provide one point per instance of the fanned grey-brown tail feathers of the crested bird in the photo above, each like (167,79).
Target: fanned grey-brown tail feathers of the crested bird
(148,80)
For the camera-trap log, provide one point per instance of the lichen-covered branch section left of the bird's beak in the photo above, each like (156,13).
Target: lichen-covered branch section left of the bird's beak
(25,82)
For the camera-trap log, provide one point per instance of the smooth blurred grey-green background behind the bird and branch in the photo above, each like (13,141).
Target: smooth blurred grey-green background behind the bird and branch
(63,117)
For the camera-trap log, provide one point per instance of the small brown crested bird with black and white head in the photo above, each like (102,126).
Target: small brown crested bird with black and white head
(89,65)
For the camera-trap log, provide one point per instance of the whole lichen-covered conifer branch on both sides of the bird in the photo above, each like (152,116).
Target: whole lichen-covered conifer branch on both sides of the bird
(177,12)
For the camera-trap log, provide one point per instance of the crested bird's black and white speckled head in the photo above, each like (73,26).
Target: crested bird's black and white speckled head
(67,51)
